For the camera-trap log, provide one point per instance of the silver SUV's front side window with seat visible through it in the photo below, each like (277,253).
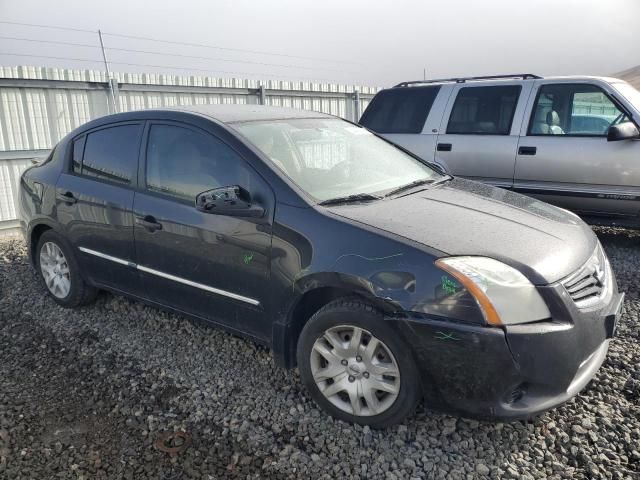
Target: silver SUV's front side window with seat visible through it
(573,110)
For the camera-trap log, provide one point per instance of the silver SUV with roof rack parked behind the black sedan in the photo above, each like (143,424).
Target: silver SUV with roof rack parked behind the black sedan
(570,141)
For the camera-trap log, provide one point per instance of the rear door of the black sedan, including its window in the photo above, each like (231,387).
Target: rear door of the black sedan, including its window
(94,201)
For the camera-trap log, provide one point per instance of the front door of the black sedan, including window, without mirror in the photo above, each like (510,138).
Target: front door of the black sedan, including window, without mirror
(212,266)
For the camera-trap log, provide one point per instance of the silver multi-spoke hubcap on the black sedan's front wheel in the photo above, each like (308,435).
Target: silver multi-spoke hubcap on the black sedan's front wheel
(355,371)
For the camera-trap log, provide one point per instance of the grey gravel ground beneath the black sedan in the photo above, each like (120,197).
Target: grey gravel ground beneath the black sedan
(85,393)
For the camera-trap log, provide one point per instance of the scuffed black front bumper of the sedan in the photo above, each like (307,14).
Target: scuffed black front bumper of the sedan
(517,371)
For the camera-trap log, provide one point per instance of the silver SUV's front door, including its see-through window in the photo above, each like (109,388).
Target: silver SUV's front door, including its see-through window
(564,157)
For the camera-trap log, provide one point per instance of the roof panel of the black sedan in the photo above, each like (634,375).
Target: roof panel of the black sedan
(231,113)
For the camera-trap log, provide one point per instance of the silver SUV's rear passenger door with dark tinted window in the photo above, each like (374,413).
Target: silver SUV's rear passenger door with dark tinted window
(479,131)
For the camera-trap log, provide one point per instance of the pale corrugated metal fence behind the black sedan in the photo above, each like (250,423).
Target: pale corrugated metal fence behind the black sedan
(39,106)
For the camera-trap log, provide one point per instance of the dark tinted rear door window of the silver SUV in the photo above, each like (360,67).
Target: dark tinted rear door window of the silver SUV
(484,110)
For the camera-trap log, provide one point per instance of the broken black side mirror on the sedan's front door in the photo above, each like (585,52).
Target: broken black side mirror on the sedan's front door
(232,201)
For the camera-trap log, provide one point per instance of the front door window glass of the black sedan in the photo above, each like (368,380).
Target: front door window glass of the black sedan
(182,163)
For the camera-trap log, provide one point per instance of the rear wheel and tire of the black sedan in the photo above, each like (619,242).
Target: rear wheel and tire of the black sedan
(66,286)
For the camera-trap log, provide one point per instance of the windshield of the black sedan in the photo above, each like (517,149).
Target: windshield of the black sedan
(332,159)
